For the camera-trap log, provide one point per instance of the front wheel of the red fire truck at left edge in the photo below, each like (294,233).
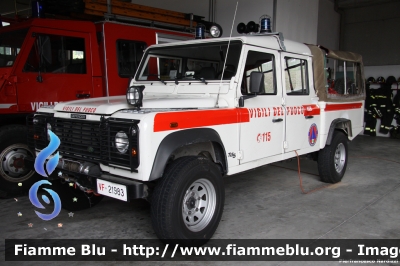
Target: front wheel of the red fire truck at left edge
(14,178)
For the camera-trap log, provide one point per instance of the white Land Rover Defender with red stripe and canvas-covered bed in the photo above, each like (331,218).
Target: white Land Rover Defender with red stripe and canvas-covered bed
(197,111)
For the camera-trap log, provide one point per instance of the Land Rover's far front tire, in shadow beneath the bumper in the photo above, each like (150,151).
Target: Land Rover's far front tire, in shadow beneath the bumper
(72,198)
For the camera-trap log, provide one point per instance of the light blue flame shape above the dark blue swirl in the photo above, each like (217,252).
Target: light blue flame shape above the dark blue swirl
(45,153)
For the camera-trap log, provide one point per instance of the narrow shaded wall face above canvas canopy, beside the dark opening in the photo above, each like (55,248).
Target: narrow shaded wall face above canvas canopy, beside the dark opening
(328,25)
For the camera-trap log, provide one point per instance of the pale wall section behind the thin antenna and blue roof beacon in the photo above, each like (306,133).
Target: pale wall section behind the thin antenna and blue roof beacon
(250,10)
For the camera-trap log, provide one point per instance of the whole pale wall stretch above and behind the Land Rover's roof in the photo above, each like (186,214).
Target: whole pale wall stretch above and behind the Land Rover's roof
(298,20)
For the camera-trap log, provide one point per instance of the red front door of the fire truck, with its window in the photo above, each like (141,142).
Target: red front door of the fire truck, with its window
(55,67)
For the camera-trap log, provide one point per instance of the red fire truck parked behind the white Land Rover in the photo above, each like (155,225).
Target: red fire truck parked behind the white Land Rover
(46,61)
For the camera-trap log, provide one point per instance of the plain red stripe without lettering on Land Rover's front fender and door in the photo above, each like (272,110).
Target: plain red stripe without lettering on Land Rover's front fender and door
(199,118)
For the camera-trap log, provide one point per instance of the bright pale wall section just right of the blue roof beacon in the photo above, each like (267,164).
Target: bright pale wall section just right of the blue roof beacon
(298,20)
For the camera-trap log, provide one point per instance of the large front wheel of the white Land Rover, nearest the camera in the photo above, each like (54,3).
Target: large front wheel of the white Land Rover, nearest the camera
(187,203)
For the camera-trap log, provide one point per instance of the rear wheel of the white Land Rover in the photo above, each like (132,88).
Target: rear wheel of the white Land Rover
(332,160)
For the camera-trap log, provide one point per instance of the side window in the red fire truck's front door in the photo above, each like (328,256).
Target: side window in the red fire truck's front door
(57,54)
